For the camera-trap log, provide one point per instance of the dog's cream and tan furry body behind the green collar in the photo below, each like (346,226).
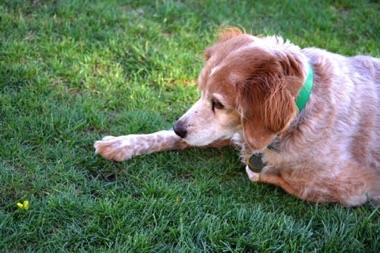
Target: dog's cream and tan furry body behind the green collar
(339,157)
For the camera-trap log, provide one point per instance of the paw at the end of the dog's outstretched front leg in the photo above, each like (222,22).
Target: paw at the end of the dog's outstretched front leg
(115,148)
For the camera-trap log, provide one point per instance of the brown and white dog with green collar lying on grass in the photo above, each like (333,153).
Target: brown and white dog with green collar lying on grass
(314,116)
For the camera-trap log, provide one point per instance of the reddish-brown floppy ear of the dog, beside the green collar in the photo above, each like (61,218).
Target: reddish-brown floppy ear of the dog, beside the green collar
(266,100)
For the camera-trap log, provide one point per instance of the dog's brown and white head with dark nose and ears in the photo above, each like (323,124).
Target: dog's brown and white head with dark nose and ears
(248,85)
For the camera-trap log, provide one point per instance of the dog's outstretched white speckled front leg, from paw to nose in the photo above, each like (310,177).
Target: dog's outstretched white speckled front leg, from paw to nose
(125,147)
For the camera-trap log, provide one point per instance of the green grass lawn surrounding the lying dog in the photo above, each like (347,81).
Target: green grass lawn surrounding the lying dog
(74,71)
